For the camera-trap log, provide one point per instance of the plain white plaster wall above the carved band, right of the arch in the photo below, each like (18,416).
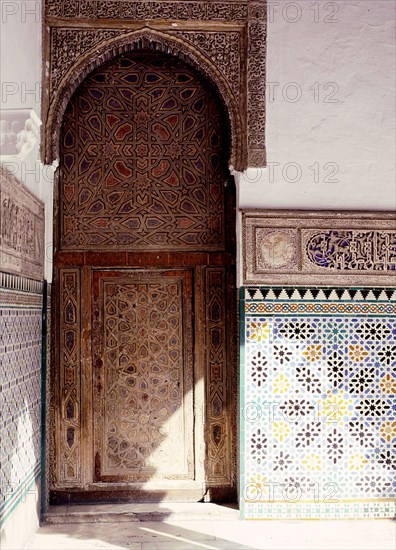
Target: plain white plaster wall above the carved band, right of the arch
(346,119)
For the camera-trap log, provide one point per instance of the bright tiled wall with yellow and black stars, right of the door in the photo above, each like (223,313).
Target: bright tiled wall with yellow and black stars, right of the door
(318,414)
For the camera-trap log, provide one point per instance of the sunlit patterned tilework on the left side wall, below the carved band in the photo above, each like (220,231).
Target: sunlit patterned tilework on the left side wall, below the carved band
(20,391)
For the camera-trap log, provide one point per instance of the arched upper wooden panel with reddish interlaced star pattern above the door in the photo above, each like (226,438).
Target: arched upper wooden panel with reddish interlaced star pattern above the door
(141,159)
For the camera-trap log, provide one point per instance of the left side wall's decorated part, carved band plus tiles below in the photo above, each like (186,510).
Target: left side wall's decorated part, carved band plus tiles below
(21,322)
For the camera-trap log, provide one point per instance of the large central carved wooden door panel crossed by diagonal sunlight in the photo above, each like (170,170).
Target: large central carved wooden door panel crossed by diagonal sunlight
(143,376)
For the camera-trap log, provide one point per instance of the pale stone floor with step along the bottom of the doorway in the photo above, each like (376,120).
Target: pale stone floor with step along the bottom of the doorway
(211,530)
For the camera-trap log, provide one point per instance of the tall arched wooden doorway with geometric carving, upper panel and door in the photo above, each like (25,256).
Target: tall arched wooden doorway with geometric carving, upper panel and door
(144,385)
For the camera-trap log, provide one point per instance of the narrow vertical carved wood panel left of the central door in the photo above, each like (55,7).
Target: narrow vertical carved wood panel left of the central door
(69,412)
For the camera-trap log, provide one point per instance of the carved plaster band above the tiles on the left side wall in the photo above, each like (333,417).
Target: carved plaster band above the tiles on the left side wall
(21,228)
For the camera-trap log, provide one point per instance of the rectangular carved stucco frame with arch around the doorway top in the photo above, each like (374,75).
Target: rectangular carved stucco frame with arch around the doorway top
(214,37)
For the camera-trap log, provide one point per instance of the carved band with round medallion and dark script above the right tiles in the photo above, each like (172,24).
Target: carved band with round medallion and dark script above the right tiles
(319,248)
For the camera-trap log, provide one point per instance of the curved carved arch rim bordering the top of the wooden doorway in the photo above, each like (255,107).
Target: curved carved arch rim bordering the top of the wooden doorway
(157,41)
